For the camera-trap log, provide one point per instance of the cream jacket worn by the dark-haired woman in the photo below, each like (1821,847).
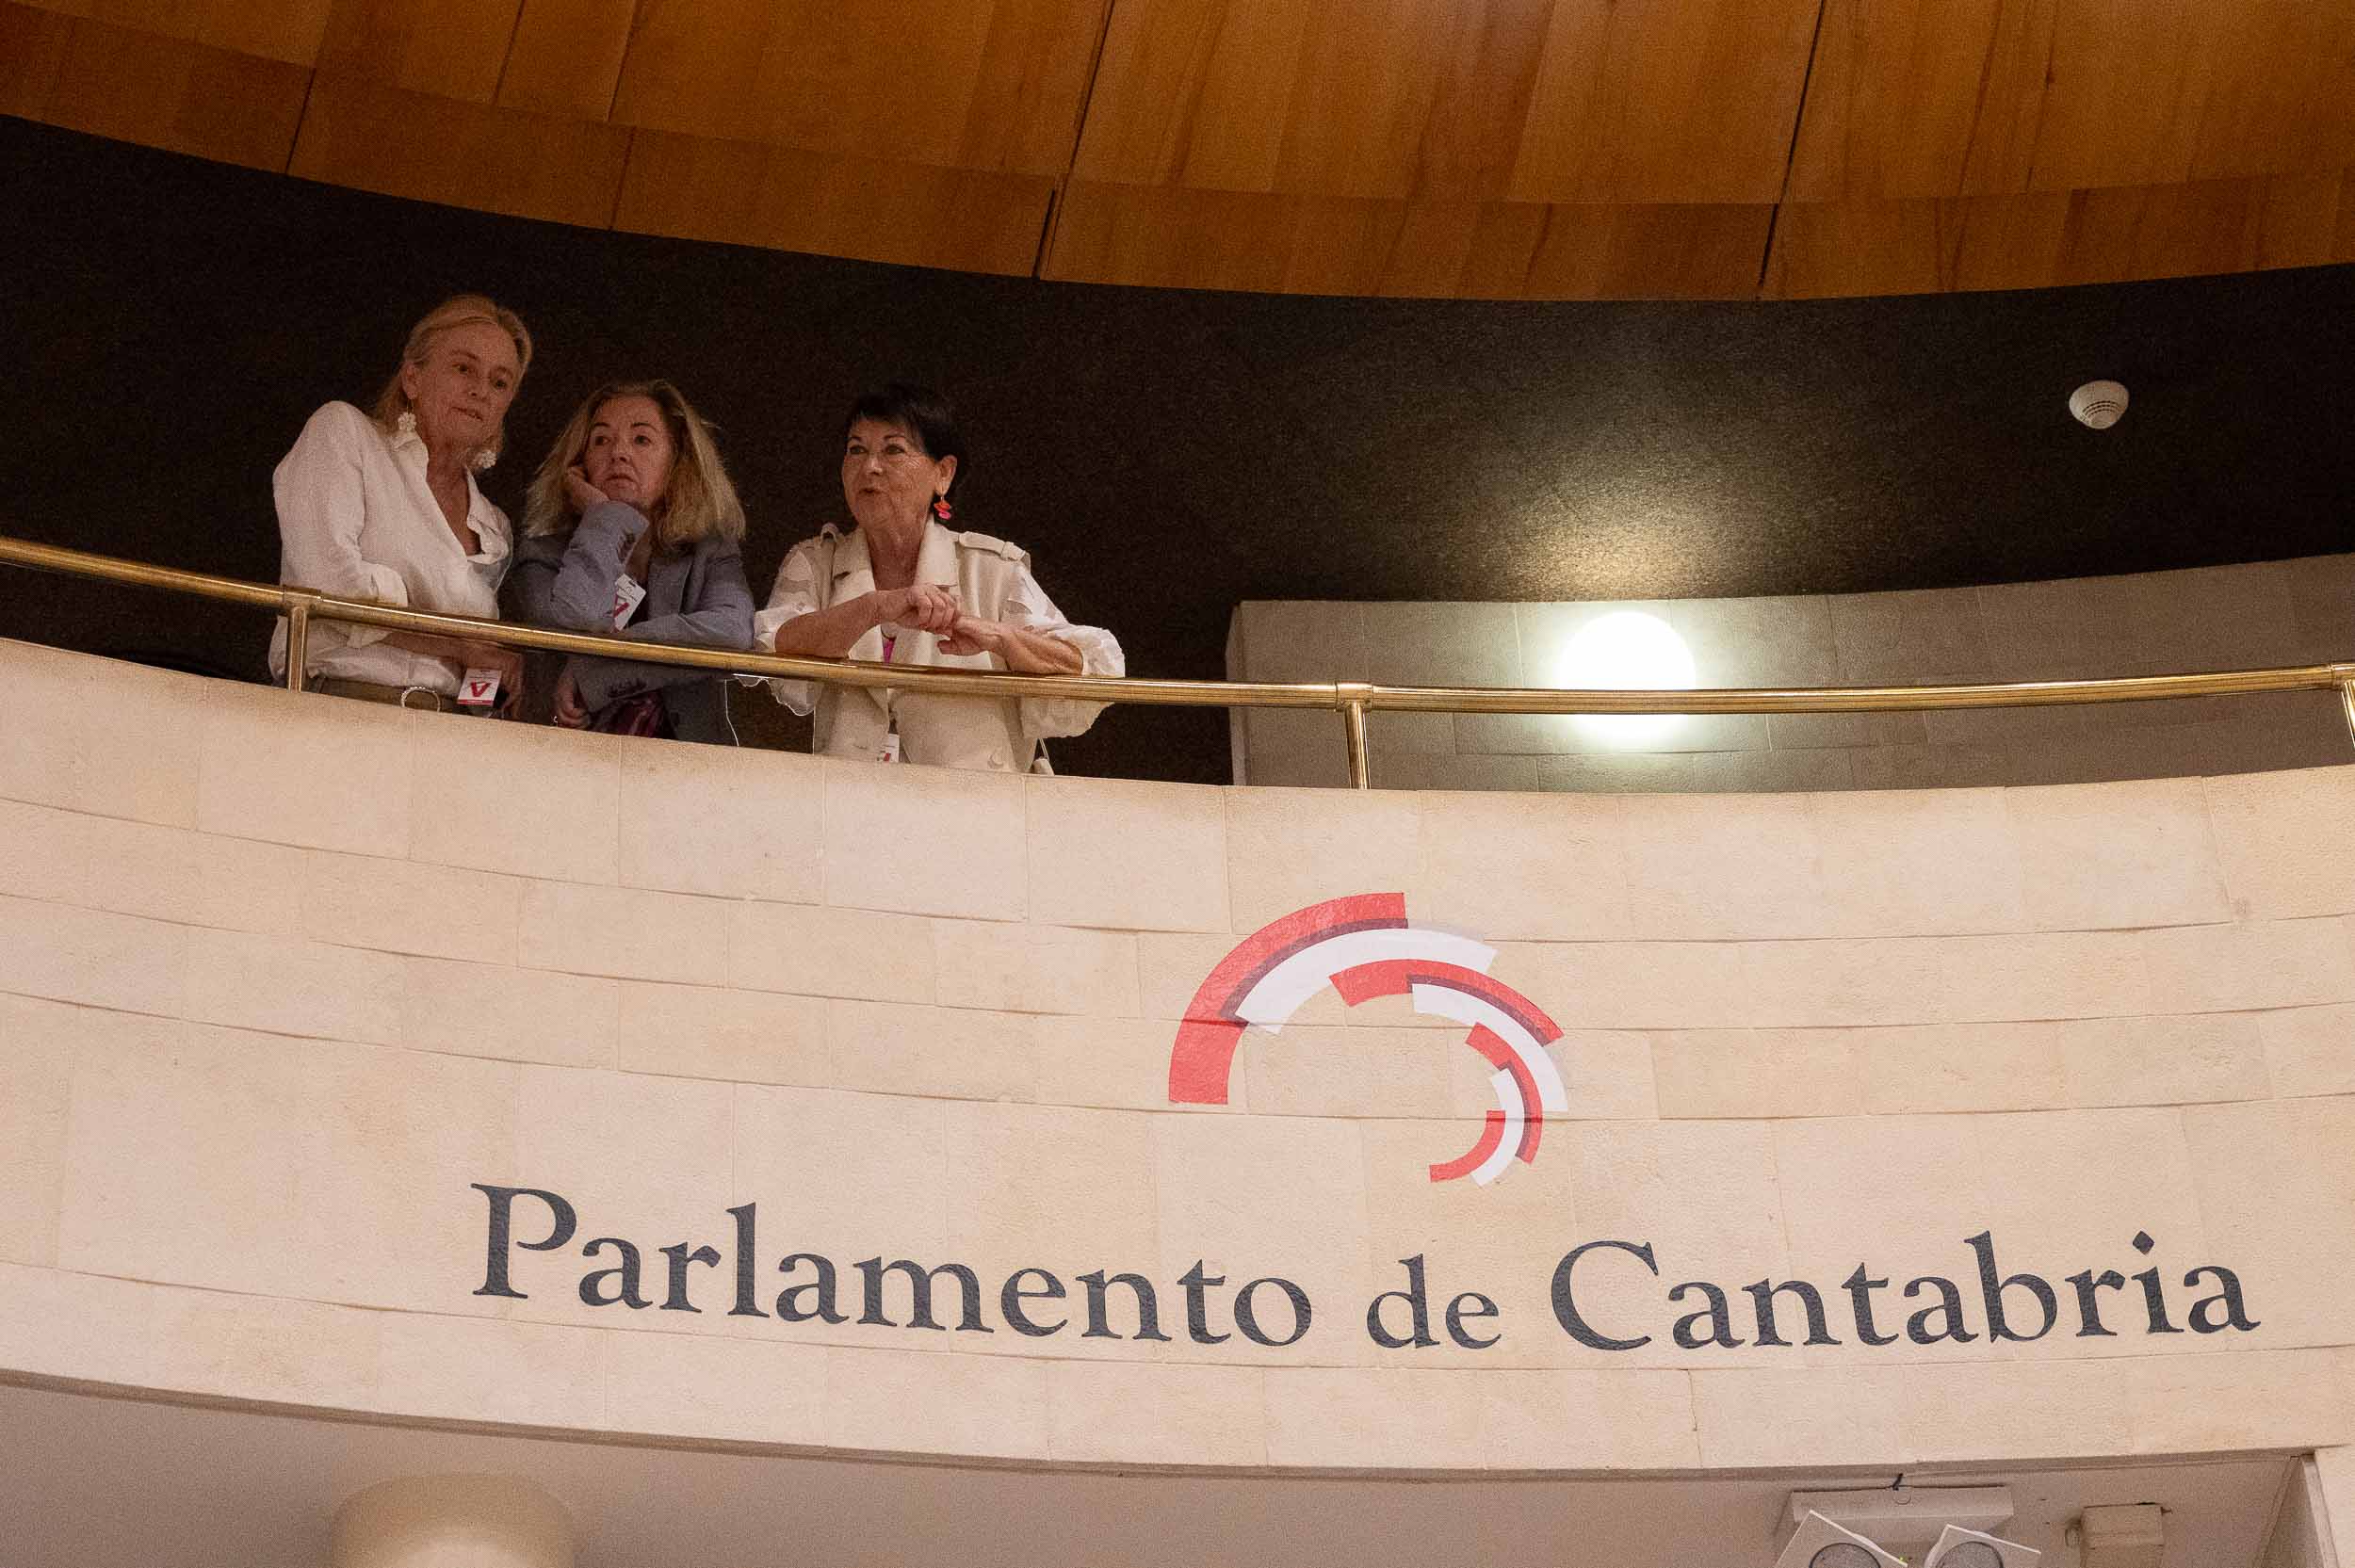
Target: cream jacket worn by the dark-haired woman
(990,580)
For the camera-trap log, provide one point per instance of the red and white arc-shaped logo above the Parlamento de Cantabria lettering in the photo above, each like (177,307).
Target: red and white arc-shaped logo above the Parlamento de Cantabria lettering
(1365,948)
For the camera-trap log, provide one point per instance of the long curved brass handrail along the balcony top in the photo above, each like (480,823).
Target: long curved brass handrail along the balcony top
(1351,698)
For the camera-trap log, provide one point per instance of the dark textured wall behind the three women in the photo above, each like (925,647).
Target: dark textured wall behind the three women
(1165,456)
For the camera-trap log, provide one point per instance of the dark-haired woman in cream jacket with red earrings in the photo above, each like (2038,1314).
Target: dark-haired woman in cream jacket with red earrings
(905,590)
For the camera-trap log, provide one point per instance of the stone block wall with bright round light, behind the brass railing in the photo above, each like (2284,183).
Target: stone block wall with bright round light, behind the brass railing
(2147,625)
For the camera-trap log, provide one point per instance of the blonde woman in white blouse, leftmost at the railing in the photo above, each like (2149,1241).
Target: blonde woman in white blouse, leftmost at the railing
(385,507)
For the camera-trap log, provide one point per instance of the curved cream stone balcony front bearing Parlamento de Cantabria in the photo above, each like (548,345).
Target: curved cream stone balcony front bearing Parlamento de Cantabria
(293,990)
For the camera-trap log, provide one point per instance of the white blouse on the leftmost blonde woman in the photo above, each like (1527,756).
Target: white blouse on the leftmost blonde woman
(359,519)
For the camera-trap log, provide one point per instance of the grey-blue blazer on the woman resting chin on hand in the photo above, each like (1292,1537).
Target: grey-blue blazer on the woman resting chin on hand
(694,597)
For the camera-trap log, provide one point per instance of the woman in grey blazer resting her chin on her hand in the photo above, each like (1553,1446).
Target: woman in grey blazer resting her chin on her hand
(635,531)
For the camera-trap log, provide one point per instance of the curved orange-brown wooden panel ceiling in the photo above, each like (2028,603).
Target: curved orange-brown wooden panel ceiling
(1494,150)
